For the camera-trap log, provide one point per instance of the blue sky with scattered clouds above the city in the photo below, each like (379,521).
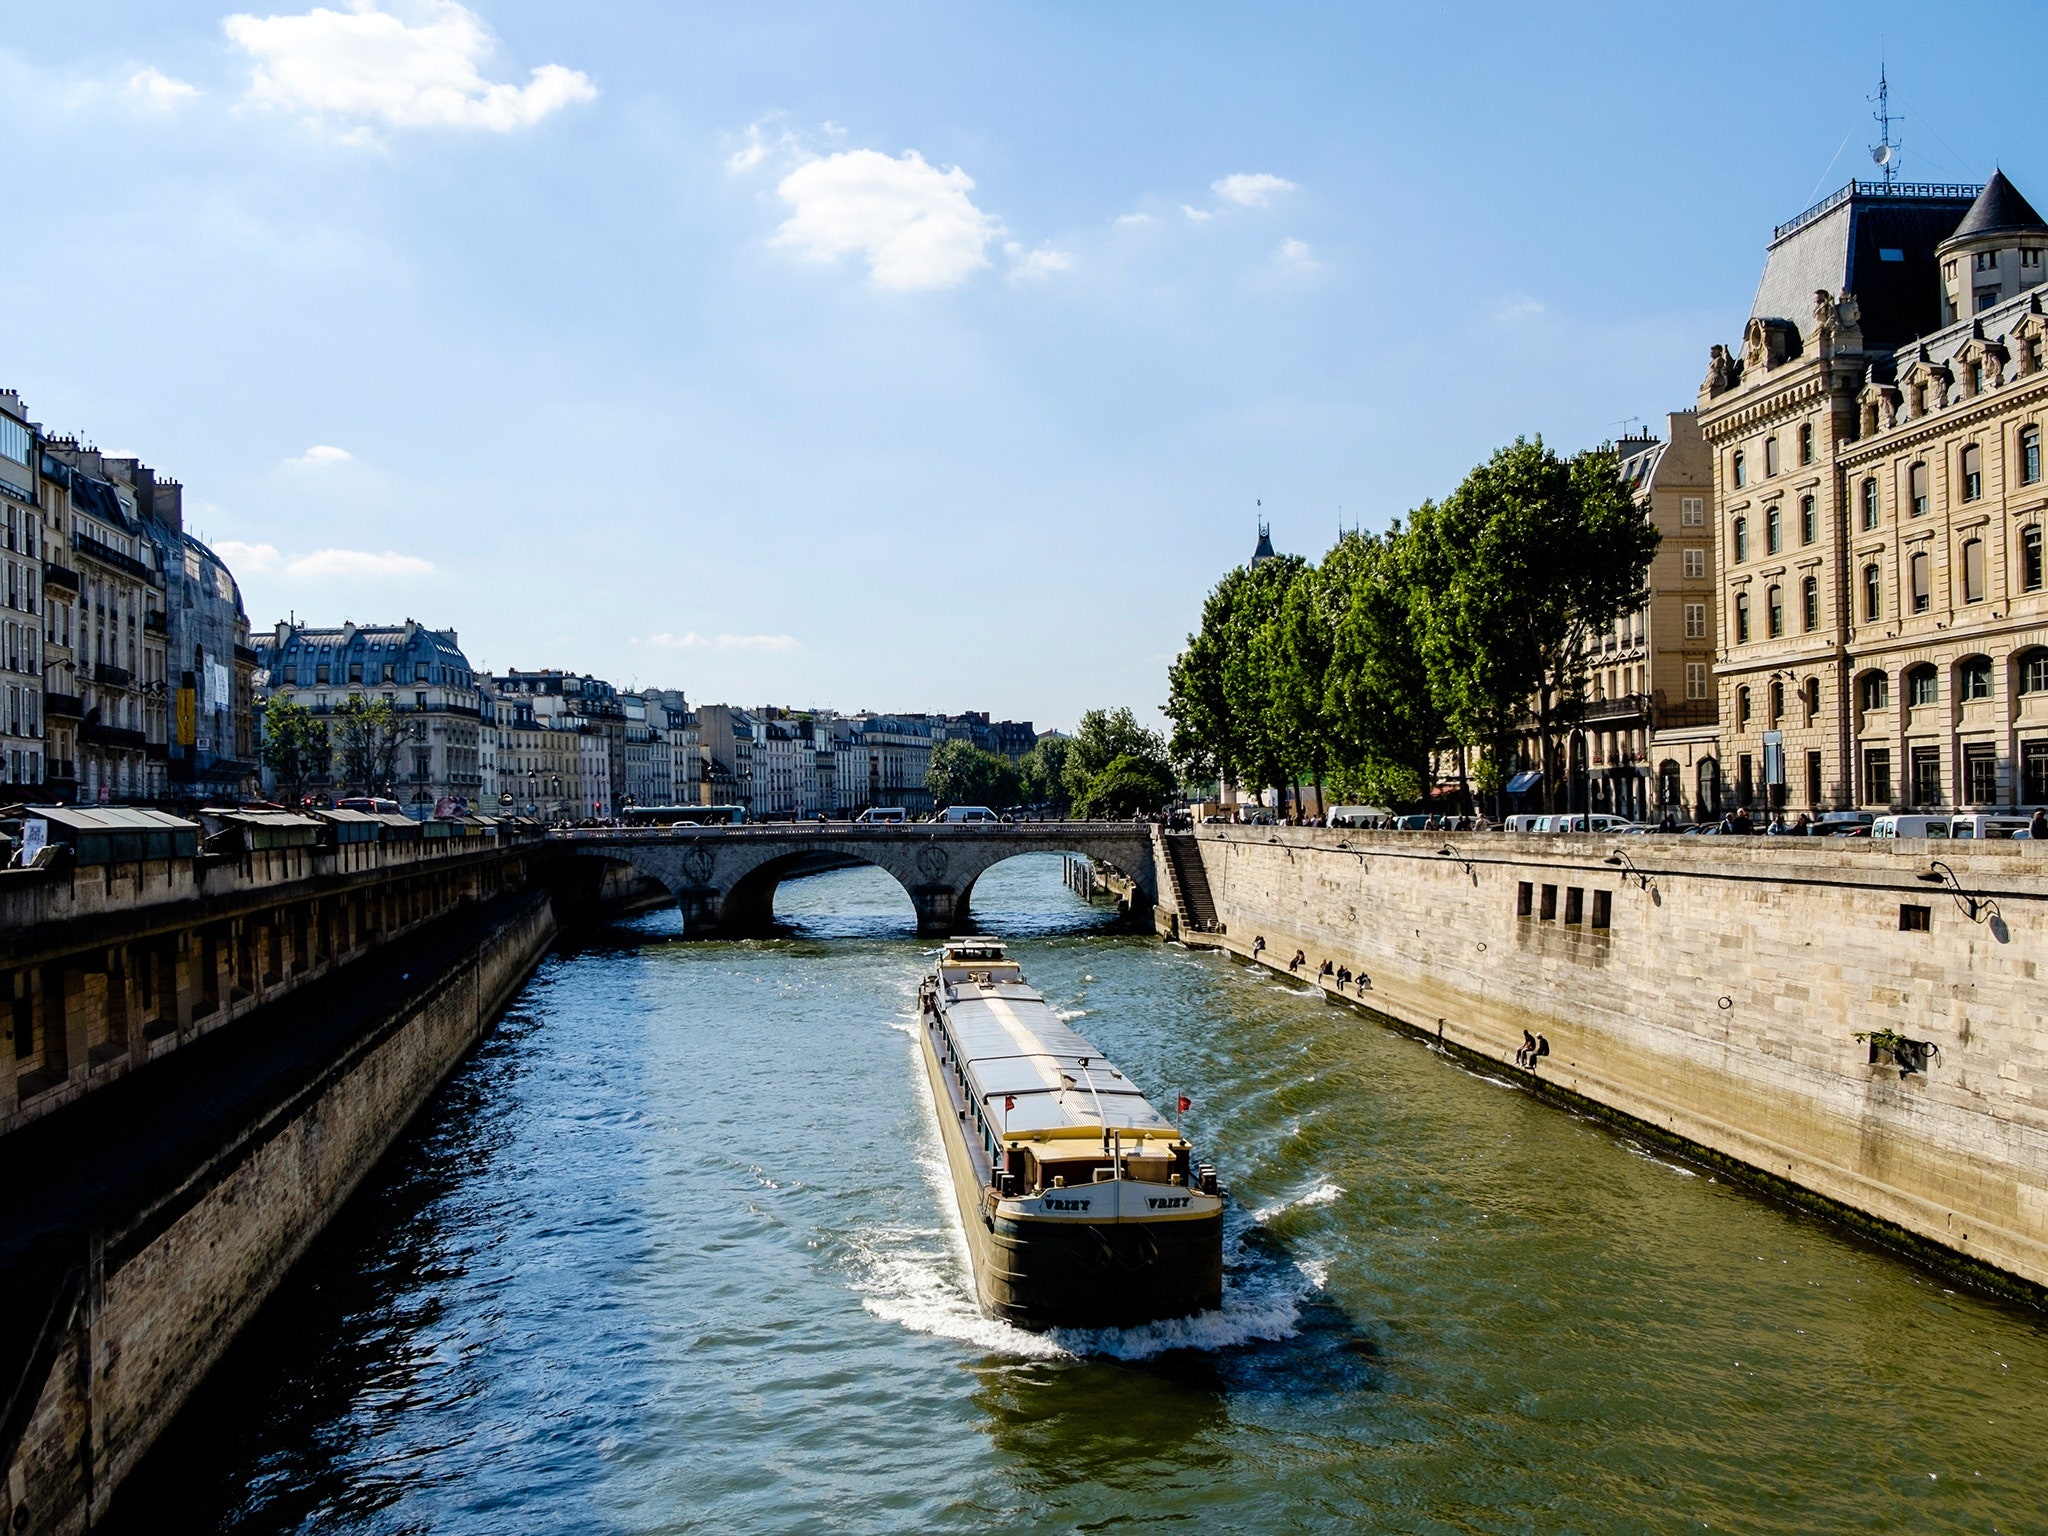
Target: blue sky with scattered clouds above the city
(900,357)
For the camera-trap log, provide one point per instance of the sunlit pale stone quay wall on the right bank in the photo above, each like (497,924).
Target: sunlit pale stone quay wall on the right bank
(1711,990)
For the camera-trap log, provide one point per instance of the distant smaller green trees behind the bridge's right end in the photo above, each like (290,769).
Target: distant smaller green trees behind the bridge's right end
(1111,767)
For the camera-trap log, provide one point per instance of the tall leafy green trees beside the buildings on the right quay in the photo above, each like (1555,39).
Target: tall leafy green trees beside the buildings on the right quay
(1461,626)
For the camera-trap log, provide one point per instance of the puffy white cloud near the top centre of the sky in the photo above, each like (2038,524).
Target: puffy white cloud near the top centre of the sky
(916,224)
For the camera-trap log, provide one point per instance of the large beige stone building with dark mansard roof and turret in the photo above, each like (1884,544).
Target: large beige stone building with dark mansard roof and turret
(1879,501)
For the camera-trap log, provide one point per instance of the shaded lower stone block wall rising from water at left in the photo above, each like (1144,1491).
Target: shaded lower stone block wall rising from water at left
(167,1297)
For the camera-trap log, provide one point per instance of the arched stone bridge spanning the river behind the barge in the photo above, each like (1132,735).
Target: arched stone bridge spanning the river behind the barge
(726,878)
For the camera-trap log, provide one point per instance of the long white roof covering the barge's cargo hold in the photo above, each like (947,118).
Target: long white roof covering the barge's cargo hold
(1033,1072)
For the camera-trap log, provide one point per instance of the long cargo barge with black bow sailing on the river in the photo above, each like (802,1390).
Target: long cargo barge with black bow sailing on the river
(1082,1203)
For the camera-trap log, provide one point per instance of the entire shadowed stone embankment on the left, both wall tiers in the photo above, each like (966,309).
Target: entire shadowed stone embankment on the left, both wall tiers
(218,1054)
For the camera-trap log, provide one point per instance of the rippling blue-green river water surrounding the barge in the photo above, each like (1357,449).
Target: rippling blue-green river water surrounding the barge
(675,1254)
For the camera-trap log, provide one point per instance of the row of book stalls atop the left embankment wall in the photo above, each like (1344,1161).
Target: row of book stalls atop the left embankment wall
(65,837)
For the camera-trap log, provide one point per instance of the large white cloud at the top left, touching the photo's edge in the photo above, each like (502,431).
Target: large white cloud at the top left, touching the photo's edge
(370,67)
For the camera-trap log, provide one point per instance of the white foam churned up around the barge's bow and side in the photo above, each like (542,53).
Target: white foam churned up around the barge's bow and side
(921,1279)
